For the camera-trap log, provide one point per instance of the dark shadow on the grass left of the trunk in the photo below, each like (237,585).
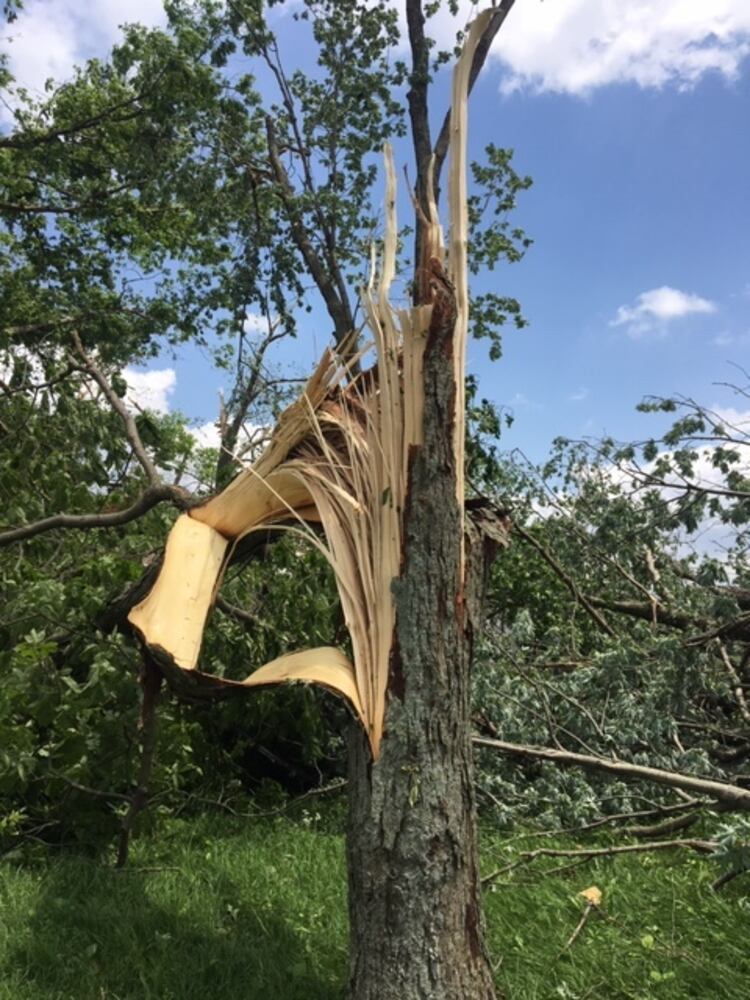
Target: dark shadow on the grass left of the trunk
(99,934)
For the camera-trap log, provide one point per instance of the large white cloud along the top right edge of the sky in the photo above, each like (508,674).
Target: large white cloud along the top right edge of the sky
(574,46)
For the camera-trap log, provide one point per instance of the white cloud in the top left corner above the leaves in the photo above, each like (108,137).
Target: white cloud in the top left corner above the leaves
(50,37)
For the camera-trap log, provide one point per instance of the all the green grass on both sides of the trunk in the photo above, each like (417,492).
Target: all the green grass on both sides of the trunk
(257,909)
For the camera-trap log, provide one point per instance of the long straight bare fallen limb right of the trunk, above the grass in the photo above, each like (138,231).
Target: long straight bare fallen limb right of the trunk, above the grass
(729,795)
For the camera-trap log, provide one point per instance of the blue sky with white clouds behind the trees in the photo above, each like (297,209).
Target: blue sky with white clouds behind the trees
(634,122)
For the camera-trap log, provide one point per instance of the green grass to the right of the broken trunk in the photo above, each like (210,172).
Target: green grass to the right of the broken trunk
(662,933)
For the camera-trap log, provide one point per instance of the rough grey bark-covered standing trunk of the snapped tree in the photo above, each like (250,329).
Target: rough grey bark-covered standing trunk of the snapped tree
(416,923)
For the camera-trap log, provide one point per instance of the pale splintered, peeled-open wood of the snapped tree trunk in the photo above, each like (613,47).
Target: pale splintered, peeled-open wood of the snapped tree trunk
(339,457)
